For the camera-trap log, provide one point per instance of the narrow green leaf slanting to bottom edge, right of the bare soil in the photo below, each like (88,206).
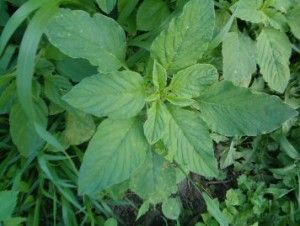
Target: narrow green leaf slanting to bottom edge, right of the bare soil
(214,209)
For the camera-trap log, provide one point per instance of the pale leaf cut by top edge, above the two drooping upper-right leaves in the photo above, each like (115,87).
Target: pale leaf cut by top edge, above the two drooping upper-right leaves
(249,11)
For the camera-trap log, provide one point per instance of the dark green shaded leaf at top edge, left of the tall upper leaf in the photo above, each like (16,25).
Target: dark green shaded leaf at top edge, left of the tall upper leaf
(151,14)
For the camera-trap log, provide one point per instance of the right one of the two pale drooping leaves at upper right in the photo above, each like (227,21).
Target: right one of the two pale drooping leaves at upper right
(273,53)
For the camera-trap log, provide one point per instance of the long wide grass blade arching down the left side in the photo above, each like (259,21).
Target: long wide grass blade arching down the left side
(26,65)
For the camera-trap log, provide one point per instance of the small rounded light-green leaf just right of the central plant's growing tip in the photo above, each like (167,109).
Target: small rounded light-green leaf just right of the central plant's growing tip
(191,81)
